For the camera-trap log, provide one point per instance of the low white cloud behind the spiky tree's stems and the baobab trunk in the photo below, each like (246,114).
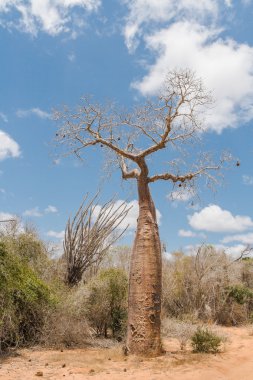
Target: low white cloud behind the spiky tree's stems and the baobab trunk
(131,218)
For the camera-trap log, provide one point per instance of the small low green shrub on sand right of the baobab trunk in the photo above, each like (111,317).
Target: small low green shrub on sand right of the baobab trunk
(205,341)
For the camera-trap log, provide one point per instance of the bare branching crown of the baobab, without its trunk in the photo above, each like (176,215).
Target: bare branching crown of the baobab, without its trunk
(168,122)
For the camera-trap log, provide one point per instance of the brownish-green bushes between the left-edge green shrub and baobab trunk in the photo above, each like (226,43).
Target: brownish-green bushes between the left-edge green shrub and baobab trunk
(95,309)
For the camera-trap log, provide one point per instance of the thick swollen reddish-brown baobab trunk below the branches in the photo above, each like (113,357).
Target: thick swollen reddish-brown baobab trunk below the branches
(144,303)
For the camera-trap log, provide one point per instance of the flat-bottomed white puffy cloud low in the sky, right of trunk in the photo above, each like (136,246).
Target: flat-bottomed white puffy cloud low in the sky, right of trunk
(215,219)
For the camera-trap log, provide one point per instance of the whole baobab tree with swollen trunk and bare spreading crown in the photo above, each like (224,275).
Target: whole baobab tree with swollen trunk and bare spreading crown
(169,121)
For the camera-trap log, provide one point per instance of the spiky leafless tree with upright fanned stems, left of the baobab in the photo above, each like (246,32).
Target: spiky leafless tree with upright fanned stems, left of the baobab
(89,235)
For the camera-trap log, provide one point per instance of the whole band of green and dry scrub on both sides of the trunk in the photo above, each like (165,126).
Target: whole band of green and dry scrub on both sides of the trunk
(200,290)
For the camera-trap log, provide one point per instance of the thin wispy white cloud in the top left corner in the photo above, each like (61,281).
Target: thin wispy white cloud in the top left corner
(50,16)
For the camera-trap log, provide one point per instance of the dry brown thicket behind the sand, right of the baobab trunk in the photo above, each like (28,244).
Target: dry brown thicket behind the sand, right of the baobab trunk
(209,285)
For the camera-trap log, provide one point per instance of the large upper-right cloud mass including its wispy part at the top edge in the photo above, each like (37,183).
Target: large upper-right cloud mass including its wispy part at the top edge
(187,34)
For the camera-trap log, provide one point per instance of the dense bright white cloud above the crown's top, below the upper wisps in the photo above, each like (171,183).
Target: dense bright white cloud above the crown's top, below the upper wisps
(225,66)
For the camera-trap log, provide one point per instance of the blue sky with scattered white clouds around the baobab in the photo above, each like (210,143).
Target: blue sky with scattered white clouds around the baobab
(53,52)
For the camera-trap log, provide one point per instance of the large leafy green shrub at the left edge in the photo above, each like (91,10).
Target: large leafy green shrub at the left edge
(24,299)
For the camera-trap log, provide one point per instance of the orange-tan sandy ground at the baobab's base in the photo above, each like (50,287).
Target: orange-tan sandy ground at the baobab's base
(235,363)
